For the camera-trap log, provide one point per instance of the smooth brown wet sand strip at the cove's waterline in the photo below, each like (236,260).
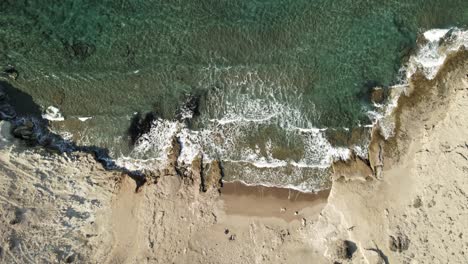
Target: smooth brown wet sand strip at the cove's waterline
(262,201)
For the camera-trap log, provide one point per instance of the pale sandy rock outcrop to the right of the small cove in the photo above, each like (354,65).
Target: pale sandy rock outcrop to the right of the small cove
(413,211)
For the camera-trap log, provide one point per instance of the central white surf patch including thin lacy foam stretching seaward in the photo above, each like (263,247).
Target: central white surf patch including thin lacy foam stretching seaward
(232,116)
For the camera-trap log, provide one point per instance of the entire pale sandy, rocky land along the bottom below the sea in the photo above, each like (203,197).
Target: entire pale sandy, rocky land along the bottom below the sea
(406,204)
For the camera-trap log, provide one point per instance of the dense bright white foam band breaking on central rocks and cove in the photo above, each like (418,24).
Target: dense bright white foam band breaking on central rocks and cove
(221,140)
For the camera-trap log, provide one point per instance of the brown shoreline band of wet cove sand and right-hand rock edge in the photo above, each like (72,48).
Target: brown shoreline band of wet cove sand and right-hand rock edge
(274,201)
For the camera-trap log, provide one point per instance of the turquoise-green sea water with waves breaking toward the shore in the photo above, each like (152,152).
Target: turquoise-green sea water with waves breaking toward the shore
(267,72)
